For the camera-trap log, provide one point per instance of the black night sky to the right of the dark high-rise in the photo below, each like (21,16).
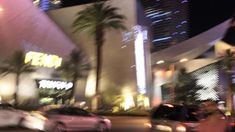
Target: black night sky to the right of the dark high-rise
(205,14)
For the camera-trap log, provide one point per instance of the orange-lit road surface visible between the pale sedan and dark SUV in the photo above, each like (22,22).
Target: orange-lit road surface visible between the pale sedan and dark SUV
(119,124)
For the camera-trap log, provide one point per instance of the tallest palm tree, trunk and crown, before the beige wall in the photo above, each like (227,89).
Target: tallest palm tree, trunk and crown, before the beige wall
(95,19)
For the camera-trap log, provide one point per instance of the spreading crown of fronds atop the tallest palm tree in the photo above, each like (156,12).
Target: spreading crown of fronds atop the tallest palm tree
(99,14)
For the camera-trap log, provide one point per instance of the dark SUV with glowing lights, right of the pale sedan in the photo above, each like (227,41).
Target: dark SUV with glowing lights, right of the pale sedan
(174,118)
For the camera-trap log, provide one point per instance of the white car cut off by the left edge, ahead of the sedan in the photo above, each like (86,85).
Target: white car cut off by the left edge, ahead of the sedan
(9,116)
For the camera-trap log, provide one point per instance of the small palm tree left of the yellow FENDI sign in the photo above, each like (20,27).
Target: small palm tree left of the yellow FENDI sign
(16,65)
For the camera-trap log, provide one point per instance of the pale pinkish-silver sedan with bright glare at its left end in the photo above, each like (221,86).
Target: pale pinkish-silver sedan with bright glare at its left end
(67,118)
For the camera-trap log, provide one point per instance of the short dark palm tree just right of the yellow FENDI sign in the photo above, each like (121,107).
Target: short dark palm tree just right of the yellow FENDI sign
(74,68)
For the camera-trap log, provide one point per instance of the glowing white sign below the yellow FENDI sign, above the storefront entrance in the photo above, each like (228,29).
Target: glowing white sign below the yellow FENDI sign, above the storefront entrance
(54,84)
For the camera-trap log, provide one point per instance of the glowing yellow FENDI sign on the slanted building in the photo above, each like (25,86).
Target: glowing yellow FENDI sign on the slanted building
(42,59)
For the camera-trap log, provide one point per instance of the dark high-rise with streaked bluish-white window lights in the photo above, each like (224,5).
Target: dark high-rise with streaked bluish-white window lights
(169,22)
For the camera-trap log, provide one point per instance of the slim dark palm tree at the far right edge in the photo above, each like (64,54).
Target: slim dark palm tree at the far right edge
(228,63)
